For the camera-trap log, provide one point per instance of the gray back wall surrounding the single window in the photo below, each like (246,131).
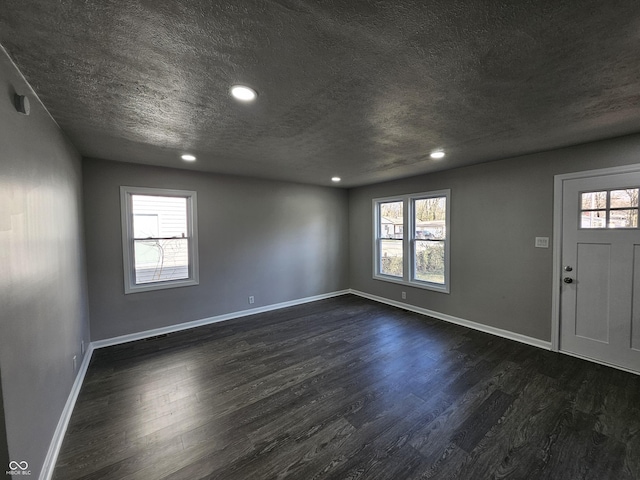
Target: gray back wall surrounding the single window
(276,241)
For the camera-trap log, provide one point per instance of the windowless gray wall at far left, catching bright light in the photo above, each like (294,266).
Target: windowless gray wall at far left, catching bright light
(43,306)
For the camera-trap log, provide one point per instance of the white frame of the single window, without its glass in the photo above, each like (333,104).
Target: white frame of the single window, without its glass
(126,210)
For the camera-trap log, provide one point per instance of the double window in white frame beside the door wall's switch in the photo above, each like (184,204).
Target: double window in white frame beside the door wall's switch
(417,255)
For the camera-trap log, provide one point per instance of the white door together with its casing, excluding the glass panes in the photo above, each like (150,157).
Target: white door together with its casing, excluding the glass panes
(597,314)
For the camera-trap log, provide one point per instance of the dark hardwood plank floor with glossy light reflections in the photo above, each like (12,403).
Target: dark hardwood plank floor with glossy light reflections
(348,389)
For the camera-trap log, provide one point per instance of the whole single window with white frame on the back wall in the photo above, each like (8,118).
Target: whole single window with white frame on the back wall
(159,238)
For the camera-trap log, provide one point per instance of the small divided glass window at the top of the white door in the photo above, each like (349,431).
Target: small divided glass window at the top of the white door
(609,209)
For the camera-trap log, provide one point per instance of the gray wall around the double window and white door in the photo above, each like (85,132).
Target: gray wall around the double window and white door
(498,278)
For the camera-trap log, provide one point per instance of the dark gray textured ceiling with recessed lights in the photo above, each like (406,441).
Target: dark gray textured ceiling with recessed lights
(360,89)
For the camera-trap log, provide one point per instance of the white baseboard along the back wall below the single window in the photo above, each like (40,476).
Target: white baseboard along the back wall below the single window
(207,321)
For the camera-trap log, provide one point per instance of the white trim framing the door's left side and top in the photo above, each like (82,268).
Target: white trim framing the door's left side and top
(558,186)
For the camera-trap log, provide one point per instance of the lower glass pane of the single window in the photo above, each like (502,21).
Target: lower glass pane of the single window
(161,260)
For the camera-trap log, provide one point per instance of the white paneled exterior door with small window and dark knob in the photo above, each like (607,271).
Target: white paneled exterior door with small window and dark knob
(600,288)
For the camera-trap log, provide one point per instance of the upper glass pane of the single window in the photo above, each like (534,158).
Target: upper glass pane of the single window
(171,214)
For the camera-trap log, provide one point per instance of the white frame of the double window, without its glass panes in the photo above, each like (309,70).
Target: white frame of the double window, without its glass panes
(408,241)
